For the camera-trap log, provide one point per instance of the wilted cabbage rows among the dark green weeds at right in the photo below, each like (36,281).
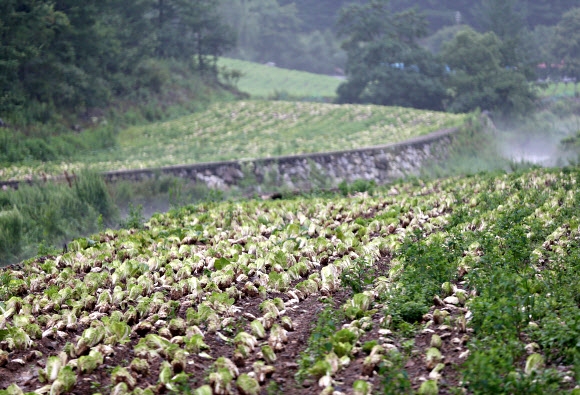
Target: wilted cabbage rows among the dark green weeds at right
(450,315)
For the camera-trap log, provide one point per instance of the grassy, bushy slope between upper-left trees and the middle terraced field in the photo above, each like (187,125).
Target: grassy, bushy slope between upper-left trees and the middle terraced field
(39,133)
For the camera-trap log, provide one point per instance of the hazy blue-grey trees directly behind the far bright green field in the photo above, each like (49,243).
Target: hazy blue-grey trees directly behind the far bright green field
(276,31)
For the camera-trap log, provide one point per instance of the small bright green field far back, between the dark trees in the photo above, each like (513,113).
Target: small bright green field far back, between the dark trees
(262,81)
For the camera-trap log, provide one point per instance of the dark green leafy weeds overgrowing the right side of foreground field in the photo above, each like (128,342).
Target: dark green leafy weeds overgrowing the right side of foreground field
(514,305)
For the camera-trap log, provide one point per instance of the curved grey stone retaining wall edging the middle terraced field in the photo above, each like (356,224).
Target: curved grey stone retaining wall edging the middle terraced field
(380,163)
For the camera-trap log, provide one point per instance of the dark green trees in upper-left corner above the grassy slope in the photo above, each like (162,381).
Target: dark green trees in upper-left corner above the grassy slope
(59,55)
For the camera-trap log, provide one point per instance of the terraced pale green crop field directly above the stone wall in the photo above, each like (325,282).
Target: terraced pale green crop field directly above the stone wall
(254,129)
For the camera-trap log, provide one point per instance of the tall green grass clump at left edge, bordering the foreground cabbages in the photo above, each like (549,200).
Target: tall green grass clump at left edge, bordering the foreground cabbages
(51,214)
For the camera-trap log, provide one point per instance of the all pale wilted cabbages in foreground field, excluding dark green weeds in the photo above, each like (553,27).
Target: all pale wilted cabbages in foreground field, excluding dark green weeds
(161,293)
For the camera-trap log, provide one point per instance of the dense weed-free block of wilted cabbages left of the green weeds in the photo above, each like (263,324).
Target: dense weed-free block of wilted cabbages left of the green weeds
(172,284)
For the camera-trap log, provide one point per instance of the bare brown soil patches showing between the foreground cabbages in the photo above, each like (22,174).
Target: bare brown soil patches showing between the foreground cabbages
(22,367)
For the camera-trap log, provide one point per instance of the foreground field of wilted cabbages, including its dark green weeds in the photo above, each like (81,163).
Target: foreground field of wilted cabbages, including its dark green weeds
(461,285)
